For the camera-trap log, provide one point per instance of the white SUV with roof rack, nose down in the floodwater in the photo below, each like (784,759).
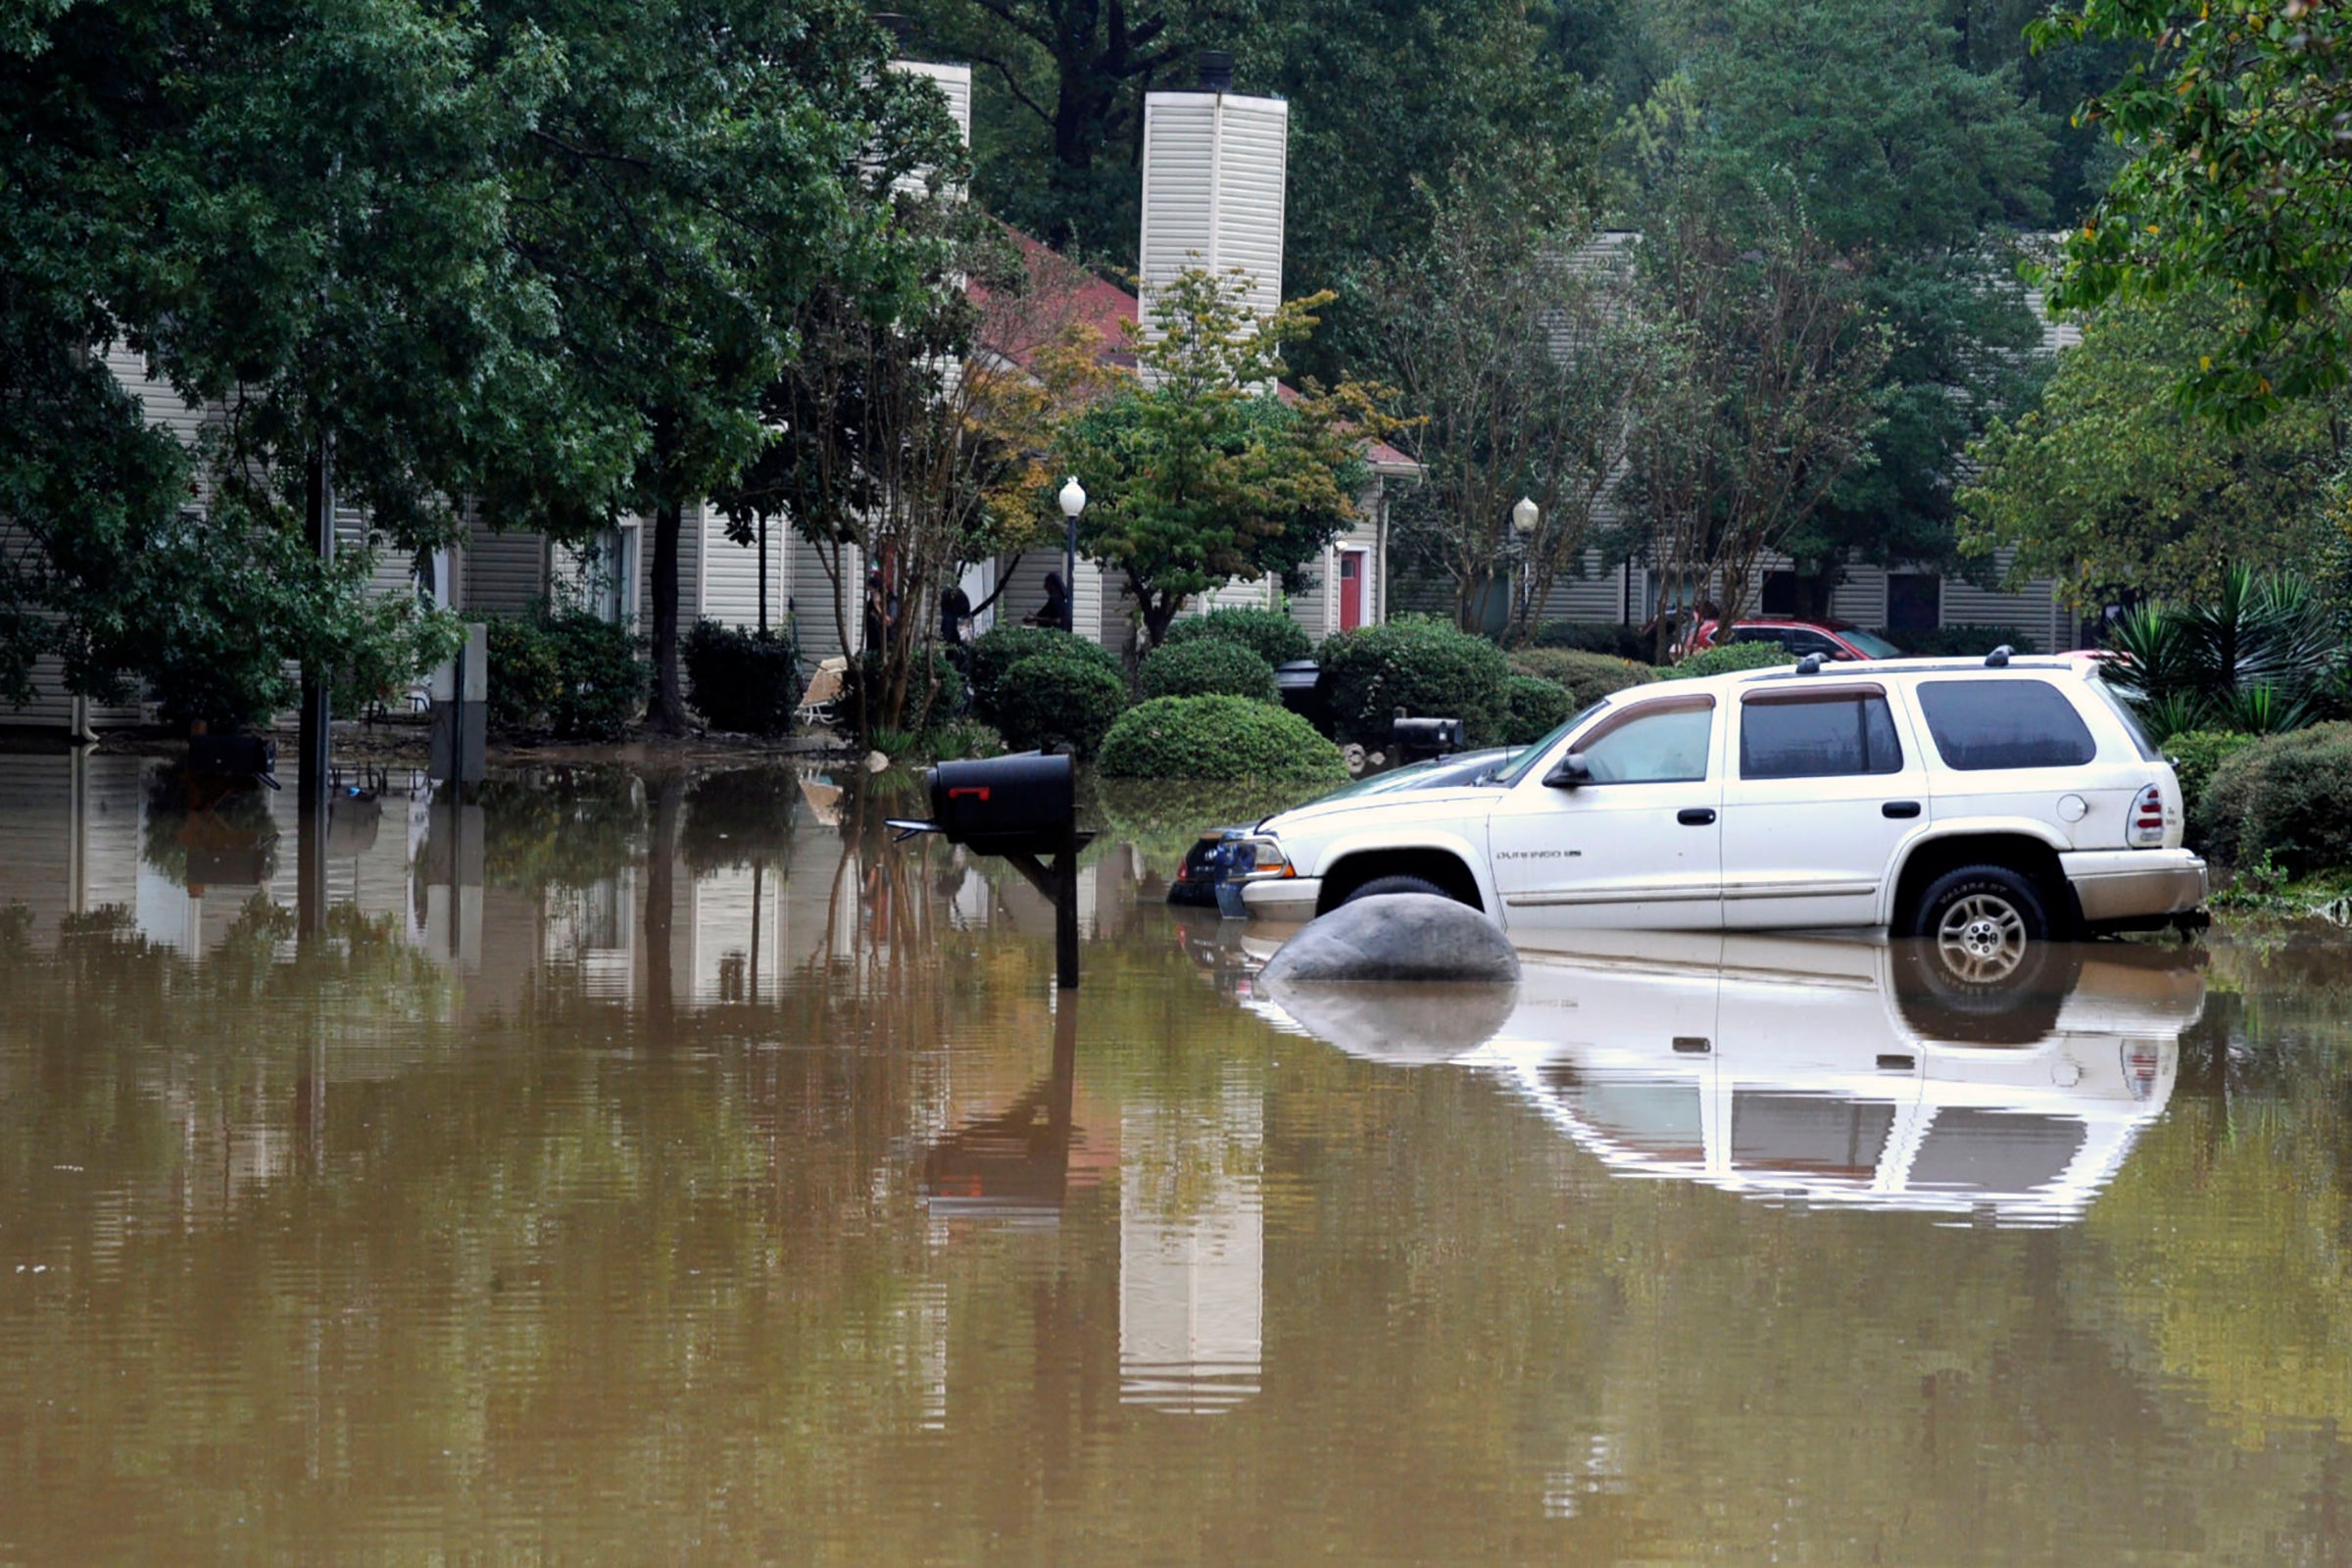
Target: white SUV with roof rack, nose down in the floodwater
(1986,805)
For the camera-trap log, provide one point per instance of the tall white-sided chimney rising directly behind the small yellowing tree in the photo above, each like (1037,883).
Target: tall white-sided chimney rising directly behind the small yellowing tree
(1215,173)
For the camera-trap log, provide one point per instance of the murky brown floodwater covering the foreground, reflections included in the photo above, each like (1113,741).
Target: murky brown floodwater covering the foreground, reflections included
(671,1170)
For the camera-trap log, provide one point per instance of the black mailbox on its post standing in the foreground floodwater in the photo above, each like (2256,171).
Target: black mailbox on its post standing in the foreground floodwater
(1022,810)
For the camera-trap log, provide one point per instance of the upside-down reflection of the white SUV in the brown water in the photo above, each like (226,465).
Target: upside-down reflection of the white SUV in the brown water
(1822,1068)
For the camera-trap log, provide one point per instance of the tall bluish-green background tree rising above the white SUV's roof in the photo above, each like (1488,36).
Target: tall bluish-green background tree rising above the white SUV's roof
(1916,170)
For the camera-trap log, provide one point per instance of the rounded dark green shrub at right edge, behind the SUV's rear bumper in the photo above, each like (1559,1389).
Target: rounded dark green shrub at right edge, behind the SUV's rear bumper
(2285,798)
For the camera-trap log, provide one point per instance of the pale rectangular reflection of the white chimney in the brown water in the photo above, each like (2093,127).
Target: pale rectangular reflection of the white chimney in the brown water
(1191,1254)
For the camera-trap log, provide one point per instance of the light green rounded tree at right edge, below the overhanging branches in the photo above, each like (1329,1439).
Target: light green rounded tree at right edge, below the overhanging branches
(2109,483)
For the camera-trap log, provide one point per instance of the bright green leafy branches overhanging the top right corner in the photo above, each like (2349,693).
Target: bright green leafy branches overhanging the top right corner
(2233,121)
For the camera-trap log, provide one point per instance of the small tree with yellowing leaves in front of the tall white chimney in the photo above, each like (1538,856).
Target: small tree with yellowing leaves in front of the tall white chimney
(1201,471)
